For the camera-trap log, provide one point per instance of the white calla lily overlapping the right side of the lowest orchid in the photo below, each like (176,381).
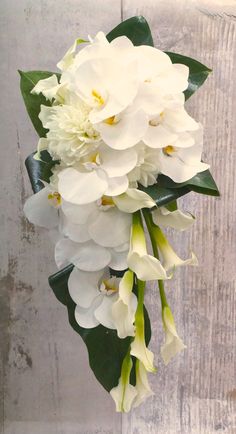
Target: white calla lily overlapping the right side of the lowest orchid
(123,310)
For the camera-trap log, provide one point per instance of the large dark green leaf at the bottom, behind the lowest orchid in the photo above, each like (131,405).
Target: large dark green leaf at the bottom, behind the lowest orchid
(106,351)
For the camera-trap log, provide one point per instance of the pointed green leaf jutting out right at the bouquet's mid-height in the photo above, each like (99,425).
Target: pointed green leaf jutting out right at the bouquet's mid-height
(202,183)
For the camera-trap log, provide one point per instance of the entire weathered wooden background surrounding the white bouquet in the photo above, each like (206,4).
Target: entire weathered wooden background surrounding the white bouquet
(46,384)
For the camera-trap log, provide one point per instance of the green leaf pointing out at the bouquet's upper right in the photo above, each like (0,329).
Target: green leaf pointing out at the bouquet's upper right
(198,72)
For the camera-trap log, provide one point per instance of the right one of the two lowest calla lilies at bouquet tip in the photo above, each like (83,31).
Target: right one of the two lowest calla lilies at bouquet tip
(142,386)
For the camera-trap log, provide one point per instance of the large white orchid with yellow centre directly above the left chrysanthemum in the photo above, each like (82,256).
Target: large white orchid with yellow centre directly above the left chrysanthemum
(105,84)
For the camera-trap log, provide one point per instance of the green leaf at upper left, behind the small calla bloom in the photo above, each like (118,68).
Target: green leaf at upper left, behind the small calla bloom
(33,102)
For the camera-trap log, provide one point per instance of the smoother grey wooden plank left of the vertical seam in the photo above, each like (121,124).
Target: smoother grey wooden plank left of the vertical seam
(47,385)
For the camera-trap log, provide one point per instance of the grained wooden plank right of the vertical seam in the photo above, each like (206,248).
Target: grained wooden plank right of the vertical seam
(196,393)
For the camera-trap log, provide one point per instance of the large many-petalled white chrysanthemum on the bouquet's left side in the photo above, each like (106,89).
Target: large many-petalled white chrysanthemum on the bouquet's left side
(71,135)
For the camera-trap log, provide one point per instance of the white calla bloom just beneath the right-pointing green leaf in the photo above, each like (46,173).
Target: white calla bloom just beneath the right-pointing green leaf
(175,219)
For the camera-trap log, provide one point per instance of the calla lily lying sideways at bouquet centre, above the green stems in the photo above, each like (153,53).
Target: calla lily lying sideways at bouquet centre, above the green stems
(133,200)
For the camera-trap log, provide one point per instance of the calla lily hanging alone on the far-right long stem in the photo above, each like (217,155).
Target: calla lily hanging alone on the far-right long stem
(173,344)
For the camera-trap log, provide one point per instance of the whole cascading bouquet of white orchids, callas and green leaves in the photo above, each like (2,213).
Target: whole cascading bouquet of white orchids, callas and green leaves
(116,149)
